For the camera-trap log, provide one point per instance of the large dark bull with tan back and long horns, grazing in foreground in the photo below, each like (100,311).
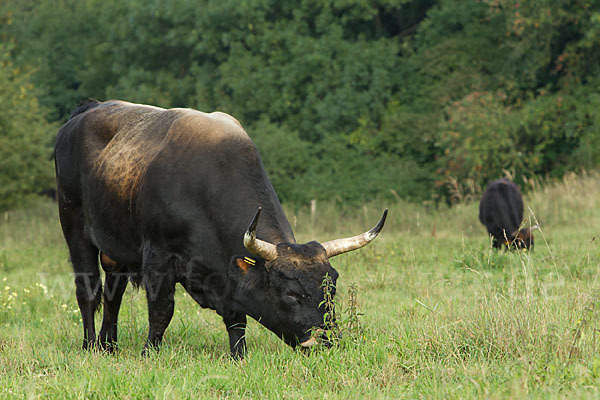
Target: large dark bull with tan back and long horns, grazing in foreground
(164,196)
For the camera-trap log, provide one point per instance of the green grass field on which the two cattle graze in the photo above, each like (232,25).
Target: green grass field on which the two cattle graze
(443,316)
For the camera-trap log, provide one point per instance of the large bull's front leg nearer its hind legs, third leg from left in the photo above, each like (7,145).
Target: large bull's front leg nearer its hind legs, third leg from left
(159,281)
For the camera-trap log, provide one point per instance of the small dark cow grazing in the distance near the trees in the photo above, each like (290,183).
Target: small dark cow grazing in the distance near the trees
(501,211)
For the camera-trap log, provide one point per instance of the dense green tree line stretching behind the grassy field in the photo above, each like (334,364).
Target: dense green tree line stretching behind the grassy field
(346,99)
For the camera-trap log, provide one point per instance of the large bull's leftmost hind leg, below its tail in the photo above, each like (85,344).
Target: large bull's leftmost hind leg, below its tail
(84,257)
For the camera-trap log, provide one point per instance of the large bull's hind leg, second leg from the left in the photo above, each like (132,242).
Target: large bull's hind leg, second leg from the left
(114,287)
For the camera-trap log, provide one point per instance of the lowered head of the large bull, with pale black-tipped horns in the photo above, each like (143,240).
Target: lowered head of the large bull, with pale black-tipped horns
(285,281)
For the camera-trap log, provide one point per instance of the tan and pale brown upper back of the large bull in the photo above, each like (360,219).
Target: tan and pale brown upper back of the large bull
(115,142)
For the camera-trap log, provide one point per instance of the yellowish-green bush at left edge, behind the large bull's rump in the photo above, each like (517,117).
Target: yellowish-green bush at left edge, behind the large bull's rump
(25,136)
